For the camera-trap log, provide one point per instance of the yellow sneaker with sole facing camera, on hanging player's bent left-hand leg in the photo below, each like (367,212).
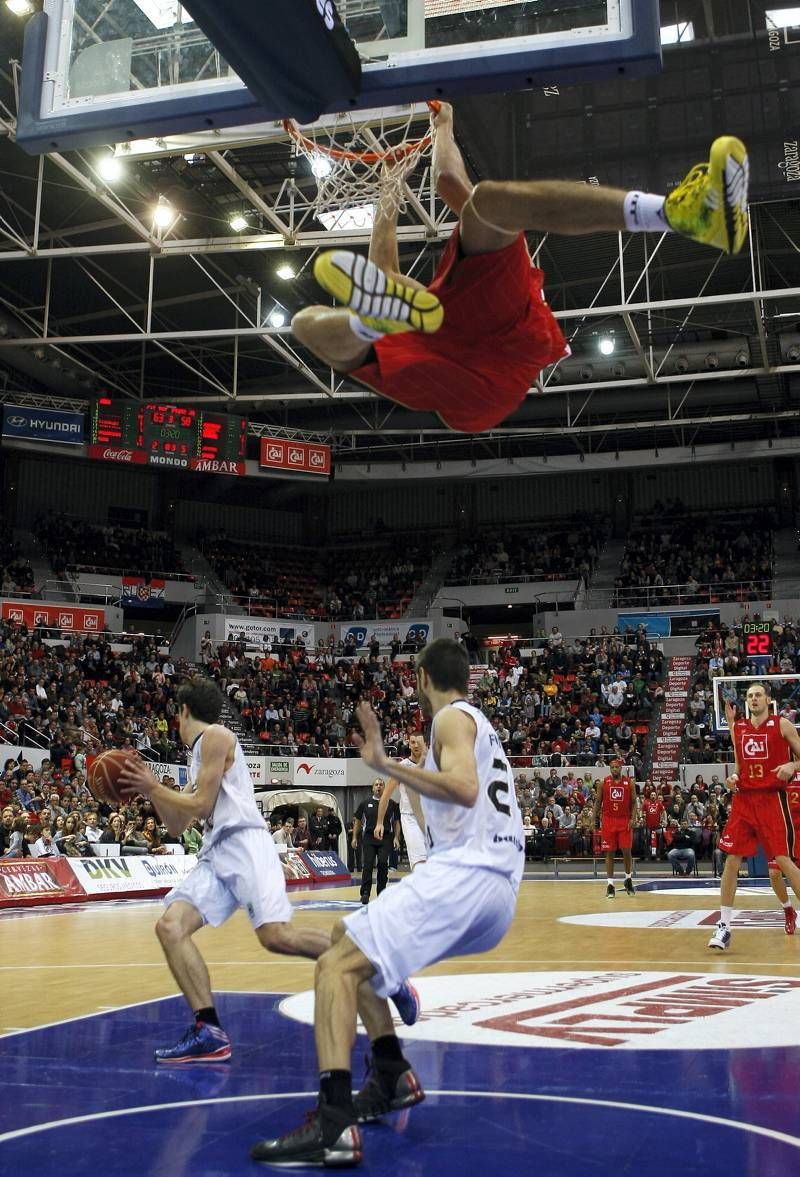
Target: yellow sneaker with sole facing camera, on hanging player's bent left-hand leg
(381,302)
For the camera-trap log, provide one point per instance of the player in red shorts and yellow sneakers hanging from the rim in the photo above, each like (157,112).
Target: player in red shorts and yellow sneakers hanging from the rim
(471,345)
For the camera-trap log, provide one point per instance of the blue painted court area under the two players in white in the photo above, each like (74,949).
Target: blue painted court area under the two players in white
(83,1098)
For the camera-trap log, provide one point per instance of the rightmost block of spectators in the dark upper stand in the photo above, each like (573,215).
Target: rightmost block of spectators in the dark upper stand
(677,556)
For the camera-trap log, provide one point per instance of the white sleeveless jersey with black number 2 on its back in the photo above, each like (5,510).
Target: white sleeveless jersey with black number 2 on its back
(489,835)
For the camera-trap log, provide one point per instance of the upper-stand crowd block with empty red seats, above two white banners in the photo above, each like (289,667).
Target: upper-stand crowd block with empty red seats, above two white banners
(349,583)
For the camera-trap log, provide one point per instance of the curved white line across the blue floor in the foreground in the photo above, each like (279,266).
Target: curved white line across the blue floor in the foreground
(618,1106)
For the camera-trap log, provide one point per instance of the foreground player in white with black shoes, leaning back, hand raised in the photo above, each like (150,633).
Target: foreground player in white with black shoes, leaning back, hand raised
(462,901)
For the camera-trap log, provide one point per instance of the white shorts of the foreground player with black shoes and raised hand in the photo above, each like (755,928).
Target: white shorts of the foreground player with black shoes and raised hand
(442,910)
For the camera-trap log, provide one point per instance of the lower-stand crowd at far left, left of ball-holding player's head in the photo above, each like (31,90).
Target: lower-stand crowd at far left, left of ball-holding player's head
(86,694)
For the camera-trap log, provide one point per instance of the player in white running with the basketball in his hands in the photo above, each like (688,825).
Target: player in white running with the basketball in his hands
(238,867)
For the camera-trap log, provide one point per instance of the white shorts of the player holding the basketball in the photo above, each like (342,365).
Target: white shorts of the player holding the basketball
(243,872)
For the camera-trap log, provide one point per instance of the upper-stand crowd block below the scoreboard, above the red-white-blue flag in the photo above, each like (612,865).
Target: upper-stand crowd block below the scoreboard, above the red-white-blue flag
(75,546)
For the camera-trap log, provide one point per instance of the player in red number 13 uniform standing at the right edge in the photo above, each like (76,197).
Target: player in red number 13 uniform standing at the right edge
(766,750)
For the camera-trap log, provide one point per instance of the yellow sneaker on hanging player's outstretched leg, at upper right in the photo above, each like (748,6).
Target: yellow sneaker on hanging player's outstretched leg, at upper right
(711,204)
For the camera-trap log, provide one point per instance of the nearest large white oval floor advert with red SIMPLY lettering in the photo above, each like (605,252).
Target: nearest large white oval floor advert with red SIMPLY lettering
(609,1010)
